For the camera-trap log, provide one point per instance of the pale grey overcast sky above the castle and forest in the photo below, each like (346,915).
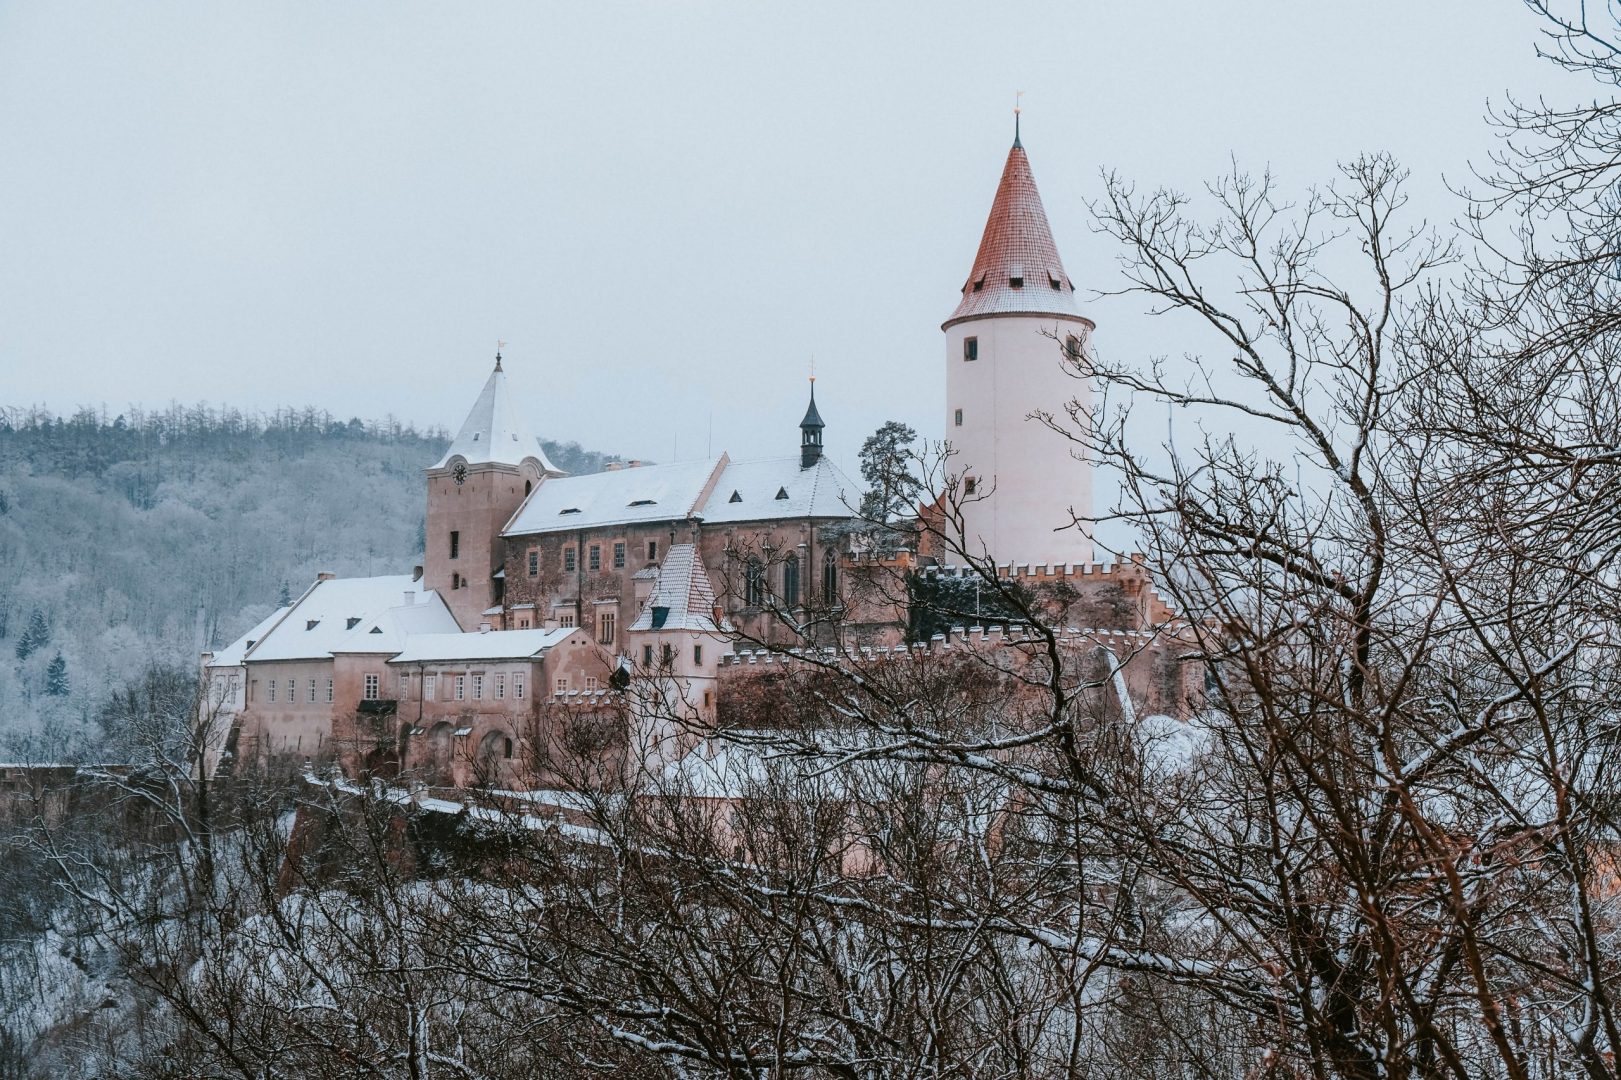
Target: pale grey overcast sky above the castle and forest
(667,210)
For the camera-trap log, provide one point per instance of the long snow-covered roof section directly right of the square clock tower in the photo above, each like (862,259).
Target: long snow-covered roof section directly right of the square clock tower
(614,499)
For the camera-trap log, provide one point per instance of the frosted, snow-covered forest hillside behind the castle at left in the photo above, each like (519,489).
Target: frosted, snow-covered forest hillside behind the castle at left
(140,538)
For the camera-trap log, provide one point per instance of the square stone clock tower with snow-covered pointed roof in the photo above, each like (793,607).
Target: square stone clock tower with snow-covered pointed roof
(490,469)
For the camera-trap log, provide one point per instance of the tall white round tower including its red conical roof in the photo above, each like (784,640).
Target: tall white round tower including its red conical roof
(1006,359)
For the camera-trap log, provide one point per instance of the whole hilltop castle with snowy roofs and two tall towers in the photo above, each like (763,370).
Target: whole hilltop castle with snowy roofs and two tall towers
(544,599)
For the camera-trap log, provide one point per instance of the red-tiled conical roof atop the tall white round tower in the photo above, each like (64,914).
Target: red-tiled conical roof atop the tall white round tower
(1017,247)
